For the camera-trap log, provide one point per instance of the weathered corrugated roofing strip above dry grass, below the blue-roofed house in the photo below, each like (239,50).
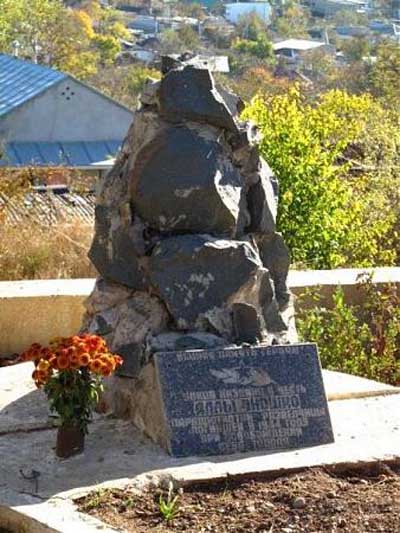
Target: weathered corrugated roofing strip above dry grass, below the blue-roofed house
(49,207)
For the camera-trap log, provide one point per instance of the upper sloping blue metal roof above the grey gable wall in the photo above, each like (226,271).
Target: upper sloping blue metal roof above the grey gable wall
(20,81)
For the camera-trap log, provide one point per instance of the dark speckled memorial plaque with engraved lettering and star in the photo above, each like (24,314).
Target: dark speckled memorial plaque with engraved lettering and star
(243,399)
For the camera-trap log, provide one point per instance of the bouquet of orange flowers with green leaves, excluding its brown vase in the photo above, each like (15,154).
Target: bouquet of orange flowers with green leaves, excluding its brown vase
(70,371)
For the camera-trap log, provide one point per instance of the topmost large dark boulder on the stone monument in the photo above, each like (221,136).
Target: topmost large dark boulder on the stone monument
(190,94)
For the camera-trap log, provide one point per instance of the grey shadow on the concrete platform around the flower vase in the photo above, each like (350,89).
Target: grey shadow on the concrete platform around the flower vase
(114,450)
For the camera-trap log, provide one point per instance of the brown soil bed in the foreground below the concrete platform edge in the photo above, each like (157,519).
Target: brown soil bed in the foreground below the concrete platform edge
(310,501)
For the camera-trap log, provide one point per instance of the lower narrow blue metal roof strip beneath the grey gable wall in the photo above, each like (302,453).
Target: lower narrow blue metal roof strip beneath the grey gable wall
(68,154)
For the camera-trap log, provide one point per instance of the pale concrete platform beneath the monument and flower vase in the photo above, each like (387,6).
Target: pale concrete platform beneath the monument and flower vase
(366,427)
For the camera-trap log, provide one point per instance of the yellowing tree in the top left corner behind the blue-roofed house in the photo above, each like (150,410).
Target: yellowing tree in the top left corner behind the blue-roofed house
(72,40)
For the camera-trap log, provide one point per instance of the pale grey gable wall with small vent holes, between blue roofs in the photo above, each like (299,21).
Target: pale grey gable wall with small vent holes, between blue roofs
(67,111)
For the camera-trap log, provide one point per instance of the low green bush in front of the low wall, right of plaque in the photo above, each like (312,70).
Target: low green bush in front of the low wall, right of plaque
(357,339)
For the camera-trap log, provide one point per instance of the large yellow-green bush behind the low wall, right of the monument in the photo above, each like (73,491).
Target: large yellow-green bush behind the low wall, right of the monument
(334,210)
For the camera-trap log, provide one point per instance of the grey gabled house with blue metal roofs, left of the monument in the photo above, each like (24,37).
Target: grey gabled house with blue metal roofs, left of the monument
(48,118)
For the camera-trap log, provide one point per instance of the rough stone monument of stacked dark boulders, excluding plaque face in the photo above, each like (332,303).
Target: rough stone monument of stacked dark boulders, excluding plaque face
(185,241)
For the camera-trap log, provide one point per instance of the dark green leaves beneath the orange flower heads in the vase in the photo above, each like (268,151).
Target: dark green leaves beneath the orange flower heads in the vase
(73,394)
